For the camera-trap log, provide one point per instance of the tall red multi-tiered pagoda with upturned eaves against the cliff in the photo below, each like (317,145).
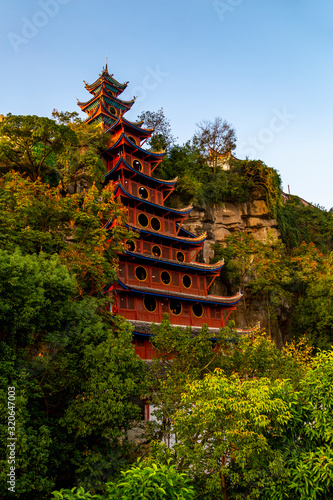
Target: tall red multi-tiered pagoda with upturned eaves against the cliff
(158,272)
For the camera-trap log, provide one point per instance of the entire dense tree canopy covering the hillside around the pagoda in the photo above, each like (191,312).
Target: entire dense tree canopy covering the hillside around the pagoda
(247,420)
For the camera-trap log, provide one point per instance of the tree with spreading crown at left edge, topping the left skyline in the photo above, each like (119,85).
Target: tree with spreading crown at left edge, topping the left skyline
(30,145)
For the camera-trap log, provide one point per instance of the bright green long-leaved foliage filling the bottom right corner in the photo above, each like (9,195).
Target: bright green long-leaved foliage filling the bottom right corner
(307,448)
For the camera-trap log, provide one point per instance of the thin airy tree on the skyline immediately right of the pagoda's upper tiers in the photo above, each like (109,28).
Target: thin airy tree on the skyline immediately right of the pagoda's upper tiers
(161,139)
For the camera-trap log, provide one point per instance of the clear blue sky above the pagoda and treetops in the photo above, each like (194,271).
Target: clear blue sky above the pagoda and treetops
(263,65)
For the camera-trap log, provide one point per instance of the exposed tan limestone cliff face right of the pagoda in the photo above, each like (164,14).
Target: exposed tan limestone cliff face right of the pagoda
(222,220)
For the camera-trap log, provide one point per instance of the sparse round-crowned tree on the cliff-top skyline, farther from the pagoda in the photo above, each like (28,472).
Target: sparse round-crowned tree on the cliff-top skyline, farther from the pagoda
(215,138)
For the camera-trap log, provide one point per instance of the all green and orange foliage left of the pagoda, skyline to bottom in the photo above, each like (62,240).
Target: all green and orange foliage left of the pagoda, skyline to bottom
(56,255)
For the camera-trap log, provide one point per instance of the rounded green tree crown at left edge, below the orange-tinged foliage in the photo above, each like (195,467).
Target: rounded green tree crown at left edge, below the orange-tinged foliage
(35,293)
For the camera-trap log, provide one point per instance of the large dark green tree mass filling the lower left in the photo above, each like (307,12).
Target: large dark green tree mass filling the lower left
(76,378)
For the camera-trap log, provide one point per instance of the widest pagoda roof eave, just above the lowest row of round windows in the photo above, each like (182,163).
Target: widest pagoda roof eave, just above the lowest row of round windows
(207,299)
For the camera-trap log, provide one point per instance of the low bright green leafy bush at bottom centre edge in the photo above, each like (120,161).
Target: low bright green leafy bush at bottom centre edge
(151,482)
